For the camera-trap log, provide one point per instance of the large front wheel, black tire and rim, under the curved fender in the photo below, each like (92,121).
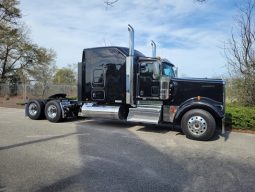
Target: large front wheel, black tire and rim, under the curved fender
(198,124)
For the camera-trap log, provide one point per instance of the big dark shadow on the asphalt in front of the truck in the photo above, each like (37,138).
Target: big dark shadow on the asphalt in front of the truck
(120,161)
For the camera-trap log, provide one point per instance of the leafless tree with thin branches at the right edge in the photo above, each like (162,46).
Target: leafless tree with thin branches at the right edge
(240,53)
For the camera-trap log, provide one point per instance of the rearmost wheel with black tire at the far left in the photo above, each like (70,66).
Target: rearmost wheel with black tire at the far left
(35,109)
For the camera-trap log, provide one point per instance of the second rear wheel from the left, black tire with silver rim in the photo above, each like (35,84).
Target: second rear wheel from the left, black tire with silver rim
(53,112)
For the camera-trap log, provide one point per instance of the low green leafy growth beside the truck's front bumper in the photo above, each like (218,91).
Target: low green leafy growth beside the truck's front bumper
(240,117)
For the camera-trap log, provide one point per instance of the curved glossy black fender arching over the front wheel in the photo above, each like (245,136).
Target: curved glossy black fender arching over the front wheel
(214,107)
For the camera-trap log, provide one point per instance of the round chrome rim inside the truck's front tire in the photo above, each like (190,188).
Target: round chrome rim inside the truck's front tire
(197,125)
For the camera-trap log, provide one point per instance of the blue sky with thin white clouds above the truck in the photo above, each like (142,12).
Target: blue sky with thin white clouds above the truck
(189,34)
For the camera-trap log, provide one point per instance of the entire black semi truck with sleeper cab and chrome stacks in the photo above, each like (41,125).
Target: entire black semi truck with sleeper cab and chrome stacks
(123,84)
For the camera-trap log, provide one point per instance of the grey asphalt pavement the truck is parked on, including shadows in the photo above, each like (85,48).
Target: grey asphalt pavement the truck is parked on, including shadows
(95,155)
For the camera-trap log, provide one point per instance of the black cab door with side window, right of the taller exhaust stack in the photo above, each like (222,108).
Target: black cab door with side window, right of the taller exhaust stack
(148,85)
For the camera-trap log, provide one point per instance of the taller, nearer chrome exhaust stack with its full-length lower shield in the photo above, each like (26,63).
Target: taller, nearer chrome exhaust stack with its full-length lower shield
(130,68)
